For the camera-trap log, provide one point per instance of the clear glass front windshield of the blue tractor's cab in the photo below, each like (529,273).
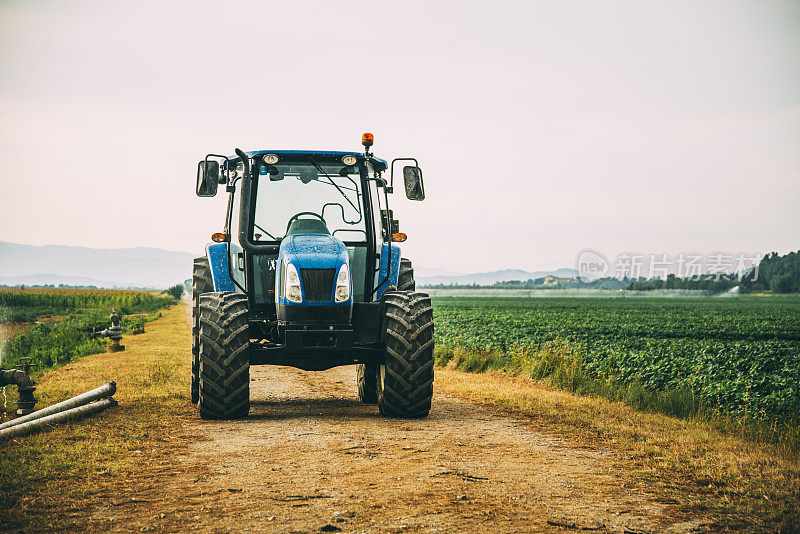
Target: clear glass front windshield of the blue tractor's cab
(309,197)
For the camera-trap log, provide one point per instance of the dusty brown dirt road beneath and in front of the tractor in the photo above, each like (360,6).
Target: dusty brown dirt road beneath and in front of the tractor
(311,458)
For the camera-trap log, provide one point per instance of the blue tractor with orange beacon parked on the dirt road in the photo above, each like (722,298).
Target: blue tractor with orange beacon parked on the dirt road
(313,279)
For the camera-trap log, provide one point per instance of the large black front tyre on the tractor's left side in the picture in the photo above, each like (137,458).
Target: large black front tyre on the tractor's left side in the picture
(224,391)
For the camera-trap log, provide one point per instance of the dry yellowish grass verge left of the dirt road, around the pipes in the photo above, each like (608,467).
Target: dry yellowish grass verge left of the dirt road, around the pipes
(46,480)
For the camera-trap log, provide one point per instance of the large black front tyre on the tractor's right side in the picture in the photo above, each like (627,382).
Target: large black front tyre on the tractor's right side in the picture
(406,379)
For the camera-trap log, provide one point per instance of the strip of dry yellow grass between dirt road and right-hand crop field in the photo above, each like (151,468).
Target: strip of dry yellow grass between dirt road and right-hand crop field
(743,485)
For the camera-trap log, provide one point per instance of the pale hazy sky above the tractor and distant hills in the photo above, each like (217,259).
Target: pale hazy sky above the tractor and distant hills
(543,128)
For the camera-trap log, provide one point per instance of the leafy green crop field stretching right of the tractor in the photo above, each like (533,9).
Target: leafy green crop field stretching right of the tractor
(738,357)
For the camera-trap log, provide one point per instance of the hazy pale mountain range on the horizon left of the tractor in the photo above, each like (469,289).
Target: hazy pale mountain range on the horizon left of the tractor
(81,266)
